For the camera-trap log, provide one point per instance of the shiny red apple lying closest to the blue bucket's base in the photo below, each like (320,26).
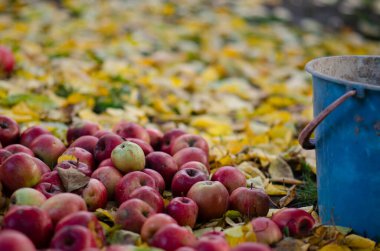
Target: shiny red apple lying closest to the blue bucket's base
(298,221)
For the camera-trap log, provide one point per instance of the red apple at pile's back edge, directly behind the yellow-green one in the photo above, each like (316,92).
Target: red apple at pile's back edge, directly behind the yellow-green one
(131,130)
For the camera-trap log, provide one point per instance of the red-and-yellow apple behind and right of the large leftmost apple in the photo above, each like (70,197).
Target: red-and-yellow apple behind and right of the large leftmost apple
(48,148)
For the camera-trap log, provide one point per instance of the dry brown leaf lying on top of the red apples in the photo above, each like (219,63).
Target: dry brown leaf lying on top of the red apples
(72,179)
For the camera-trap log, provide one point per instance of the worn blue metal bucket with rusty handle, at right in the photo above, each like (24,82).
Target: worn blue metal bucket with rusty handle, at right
(347,141)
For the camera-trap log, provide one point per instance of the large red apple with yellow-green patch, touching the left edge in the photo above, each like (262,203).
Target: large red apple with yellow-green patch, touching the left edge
(19,170)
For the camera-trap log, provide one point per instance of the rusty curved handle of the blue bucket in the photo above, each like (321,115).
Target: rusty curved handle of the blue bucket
(304,137)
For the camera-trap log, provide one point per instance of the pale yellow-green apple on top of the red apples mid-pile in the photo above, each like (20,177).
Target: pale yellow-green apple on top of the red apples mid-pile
(128,157)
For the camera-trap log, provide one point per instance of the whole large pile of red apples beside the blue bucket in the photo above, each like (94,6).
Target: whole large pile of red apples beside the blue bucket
(54,189)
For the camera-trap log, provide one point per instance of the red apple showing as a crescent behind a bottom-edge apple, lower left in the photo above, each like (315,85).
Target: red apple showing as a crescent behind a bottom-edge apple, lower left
(85,219)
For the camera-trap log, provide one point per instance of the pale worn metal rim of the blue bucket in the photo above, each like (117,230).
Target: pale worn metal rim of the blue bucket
(309,68)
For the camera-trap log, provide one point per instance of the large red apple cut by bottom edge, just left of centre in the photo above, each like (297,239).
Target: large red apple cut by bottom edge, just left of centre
(172,237)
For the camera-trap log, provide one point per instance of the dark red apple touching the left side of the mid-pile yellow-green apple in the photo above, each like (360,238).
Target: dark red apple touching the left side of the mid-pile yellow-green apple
(105,145)
